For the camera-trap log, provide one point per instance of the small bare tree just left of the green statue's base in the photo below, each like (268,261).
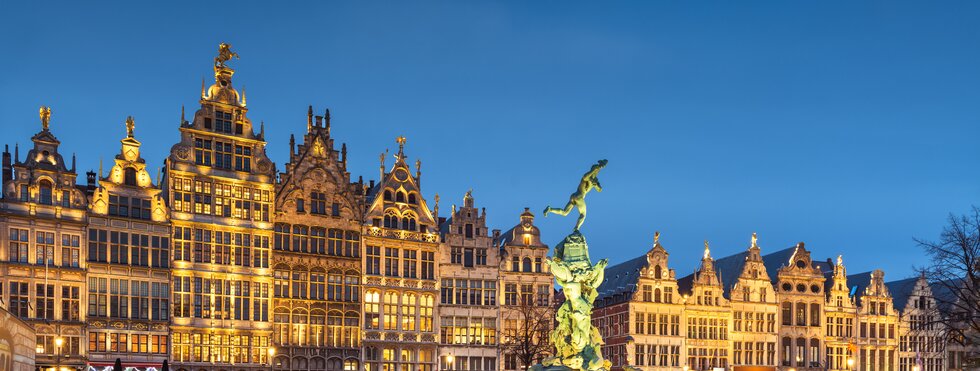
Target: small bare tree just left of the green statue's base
(527,336)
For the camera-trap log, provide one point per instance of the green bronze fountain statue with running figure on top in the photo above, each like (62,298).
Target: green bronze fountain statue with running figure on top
(577,342)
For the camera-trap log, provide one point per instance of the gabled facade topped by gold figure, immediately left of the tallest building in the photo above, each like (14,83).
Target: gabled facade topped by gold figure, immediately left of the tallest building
(128,265)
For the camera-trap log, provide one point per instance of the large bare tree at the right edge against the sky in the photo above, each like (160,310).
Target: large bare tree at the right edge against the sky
(953,272)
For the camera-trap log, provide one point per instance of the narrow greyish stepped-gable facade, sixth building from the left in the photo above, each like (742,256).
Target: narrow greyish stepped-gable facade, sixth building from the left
(468,301)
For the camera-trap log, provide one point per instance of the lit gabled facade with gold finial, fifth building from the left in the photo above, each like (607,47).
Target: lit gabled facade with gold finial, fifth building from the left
(400,244)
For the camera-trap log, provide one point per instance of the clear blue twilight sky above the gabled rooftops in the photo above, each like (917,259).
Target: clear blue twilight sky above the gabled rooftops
(849,125)
